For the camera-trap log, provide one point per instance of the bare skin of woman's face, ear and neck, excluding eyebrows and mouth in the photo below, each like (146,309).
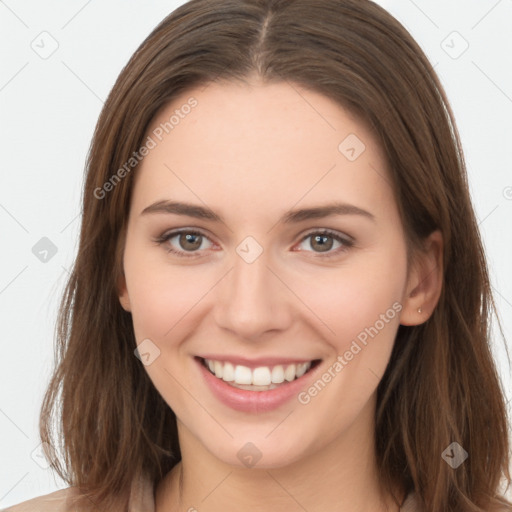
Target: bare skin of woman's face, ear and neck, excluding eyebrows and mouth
(251,153)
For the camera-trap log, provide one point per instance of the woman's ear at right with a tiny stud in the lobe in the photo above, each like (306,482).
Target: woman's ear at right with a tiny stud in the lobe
(425,282)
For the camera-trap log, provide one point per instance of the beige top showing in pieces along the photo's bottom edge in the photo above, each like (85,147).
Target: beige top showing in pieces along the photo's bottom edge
(142,499)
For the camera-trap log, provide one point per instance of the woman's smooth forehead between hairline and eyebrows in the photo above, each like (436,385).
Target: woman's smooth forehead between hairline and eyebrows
(261,143)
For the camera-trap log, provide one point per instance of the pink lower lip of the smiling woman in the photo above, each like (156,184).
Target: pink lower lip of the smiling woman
(254,401)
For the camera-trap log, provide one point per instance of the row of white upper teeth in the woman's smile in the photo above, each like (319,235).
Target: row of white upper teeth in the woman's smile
(261,376)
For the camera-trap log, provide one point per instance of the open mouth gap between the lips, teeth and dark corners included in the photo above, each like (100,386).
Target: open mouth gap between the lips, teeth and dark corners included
(258,378)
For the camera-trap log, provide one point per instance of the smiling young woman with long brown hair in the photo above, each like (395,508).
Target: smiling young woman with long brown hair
(280,299)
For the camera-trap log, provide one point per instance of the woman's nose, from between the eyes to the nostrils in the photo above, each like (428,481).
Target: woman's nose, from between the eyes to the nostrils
(253,300)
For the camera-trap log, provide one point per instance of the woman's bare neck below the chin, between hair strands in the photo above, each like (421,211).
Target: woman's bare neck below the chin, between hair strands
(339,476)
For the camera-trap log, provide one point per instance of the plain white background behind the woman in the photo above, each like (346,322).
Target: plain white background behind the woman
(48,110)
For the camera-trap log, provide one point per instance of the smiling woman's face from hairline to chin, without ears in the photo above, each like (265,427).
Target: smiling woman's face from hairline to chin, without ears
(264,240)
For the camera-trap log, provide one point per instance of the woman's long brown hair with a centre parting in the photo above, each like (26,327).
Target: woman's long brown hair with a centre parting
(441,385)
